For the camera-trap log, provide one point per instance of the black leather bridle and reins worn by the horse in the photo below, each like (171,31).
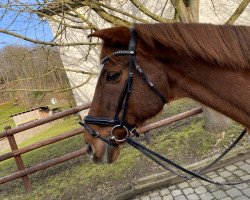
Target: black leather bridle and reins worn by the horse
(122,107)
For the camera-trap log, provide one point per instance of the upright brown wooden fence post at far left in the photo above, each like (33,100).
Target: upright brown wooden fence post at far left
(18,159)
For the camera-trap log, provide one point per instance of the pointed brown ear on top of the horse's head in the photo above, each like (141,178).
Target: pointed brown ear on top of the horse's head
(115,35)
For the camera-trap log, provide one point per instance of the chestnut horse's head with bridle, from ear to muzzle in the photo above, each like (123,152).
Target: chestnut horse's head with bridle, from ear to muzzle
(110,101)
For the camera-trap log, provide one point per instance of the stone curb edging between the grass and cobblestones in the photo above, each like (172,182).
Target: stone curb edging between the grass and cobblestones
(165,179)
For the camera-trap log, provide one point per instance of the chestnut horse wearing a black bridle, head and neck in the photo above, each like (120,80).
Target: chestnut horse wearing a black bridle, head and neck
(208,63)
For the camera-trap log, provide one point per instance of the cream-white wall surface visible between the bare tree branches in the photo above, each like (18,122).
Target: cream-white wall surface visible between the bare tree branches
(83,58)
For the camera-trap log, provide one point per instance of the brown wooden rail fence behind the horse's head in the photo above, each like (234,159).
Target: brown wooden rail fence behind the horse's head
(16,153)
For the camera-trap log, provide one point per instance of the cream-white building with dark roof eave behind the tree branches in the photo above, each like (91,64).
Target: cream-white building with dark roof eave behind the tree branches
(72,14)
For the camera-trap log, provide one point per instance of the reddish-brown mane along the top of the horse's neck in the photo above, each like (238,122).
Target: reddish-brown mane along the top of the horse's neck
(223,45)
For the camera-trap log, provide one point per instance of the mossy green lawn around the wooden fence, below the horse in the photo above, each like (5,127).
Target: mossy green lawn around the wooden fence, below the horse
(185,141)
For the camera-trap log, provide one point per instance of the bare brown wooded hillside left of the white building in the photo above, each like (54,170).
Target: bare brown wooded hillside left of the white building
(25,72)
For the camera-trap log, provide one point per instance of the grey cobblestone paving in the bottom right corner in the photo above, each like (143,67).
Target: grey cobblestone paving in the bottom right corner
(201,190)
